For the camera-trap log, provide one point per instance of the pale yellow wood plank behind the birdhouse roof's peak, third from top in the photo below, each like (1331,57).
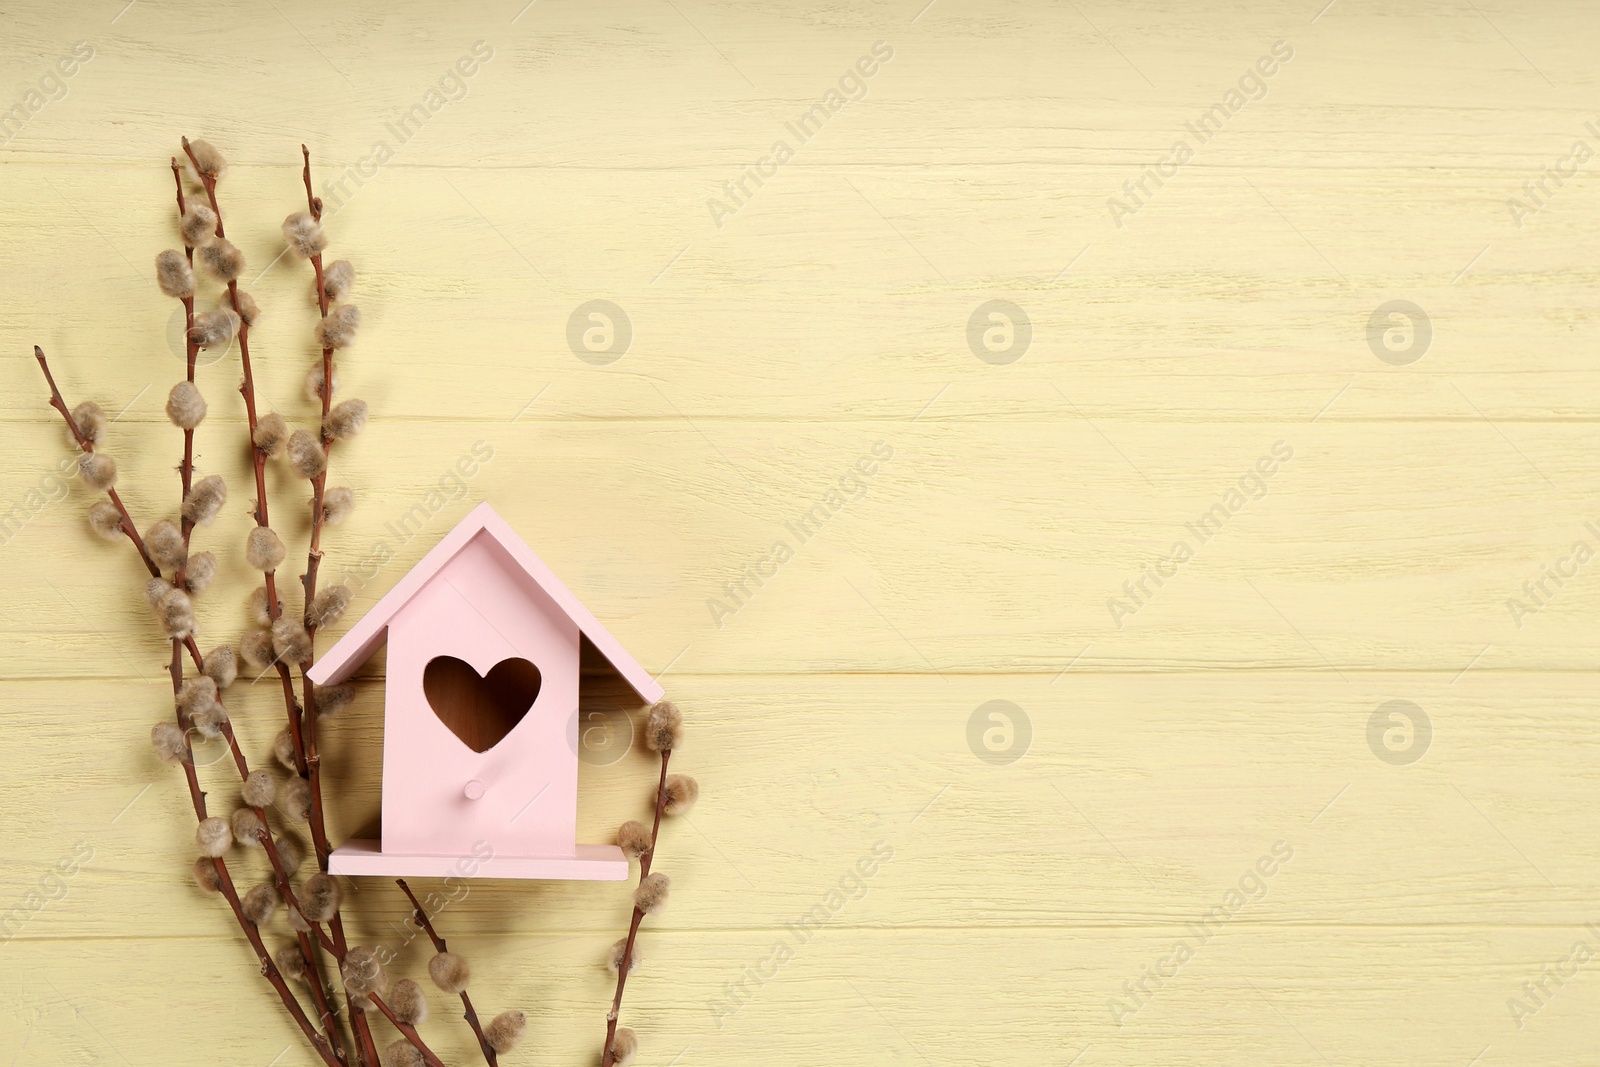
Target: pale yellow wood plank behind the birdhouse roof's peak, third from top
(975,546)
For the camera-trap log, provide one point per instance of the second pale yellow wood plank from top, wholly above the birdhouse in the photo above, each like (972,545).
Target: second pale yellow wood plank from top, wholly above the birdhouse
(1207,308)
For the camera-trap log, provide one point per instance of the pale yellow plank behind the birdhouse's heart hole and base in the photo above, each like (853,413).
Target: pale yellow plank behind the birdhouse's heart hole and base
(1140,799)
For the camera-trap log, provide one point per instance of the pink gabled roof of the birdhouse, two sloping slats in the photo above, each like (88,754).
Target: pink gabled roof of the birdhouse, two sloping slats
(362,641)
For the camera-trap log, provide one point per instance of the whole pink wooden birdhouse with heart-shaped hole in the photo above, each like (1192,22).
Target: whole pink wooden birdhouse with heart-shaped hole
(481,714)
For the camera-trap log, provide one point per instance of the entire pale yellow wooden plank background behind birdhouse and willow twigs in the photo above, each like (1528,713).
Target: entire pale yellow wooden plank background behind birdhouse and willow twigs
(831,713)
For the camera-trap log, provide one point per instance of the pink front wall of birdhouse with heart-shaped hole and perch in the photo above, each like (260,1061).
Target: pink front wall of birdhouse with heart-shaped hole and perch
(481,722)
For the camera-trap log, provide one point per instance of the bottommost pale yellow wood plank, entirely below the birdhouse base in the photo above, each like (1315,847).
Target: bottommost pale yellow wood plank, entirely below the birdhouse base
(972,999)
